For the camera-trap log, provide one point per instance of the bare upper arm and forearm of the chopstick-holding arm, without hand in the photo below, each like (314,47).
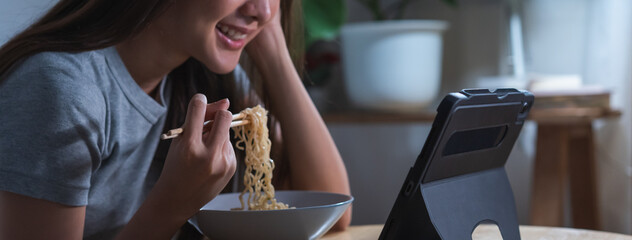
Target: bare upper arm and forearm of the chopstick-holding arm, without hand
(23,217)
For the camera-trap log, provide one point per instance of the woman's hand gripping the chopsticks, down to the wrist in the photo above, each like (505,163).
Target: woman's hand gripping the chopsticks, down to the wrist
(198,164)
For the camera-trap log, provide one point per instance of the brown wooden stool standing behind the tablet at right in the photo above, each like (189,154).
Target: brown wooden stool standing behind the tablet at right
(565,156)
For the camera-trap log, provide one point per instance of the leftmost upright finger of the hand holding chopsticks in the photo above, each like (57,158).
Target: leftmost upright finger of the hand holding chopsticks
(194,121)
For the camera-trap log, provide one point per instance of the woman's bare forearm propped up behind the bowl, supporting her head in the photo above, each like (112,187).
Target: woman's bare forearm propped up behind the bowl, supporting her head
(315,161)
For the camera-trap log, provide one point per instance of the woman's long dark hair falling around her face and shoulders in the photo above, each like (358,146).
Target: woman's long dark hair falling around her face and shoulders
(80,25)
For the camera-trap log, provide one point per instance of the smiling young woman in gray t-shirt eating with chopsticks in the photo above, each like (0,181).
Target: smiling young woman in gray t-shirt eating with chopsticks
(87,90)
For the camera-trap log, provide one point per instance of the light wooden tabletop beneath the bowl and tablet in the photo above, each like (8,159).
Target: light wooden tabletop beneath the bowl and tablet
(489,232)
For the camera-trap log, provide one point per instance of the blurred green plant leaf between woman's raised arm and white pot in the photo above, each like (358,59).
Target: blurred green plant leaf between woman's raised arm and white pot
(323,19)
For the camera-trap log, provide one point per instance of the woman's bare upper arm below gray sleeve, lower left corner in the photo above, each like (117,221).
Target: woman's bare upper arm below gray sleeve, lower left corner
(23,217)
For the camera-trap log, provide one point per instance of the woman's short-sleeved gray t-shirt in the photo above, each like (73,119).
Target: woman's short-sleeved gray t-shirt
(76,129)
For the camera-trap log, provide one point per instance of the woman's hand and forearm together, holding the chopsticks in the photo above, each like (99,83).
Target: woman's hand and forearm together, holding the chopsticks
(197,168)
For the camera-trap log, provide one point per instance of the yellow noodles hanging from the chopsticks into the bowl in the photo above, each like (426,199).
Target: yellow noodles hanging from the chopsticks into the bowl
(253,139)
